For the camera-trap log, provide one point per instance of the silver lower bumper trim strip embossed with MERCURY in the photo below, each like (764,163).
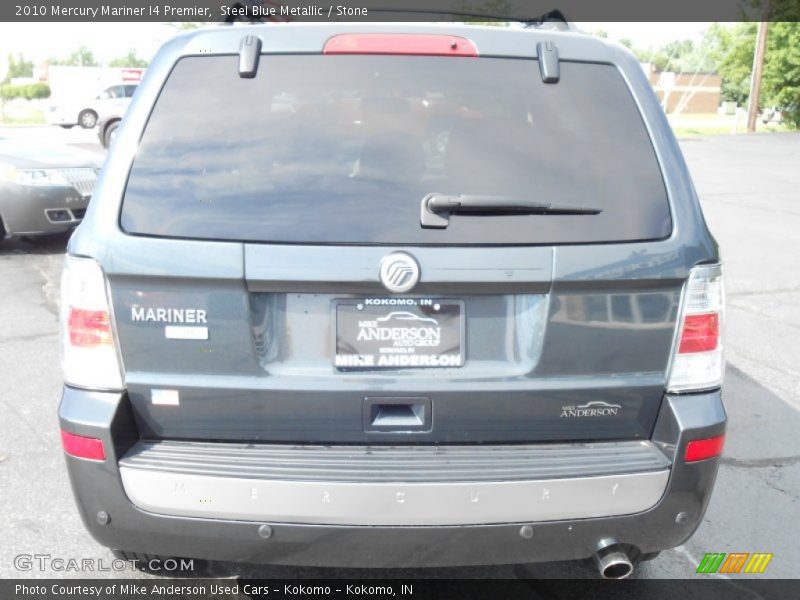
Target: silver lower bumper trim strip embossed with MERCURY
(392,504)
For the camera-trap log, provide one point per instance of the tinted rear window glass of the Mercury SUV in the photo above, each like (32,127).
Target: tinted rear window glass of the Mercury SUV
(342,149)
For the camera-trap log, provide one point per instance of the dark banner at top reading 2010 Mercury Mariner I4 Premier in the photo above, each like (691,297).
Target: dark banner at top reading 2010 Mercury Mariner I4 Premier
(215,11)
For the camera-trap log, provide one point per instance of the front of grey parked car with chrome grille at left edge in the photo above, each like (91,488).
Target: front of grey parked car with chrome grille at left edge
(44,189)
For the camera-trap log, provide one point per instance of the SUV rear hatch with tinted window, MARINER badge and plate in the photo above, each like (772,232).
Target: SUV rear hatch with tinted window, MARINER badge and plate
(263,316)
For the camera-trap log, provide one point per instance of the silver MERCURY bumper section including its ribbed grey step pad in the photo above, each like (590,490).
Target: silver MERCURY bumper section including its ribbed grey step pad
(394,485)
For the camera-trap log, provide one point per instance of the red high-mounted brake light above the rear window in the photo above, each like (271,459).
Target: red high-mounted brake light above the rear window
(400,43)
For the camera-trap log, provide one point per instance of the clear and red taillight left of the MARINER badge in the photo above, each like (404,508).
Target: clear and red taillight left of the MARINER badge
(88,352)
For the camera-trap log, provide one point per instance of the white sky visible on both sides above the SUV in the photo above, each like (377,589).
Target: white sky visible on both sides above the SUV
(39,41)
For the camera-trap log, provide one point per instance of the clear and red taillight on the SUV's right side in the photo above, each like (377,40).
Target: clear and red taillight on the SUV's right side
(698,362)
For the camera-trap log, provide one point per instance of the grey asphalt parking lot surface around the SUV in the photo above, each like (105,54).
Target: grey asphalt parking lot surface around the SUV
(750,193)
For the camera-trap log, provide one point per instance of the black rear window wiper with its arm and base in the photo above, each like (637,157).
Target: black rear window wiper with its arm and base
(436,209)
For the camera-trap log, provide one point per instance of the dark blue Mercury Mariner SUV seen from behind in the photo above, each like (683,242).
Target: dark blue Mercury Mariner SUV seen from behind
(393,295)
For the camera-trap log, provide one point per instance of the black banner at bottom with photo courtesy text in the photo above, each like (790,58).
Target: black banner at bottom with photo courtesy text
(416,589)
